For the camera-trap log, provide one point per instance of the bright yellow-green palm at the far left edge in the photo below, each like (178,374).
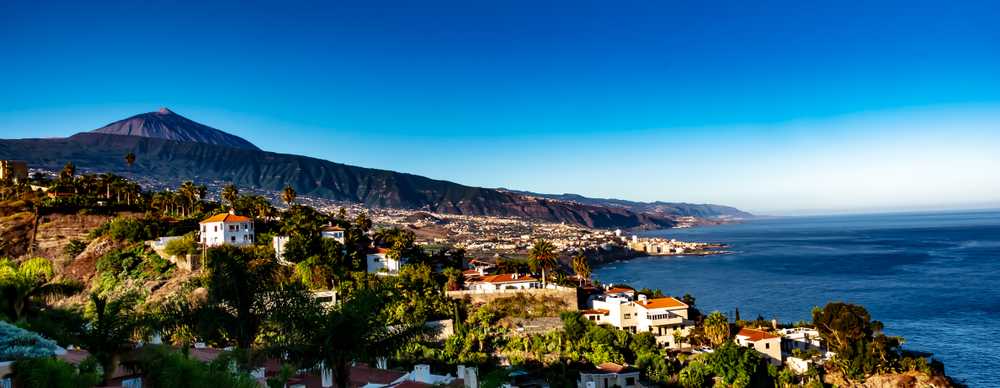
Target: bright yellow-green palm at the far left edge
(28,281)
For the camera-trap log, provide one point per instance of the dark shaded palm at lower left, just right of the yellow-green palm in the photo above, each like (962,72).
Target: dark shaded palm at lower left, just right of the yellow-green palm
(113,325)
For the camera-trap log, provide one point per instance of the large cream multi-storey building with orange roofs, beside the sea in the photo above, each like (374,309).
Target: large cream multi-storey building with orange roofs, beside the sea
(661,316)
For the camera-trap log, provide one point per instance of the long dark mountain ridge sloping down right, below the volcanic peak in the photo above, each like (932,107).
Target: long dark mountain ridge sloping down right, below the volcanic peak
(172,162)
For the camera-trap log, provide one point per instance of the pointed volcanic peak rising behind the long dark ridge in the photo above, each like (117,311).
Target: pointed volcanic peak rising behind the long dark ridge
(164,124)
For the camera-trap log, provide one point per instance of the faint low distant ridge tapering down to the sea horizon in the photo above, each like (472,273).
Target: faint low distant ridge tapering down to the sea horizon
(664,208)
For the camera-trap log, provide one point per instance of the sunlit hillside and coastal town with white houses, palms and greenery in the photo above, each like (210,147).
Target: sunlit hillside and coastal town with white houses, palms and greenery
(106,284)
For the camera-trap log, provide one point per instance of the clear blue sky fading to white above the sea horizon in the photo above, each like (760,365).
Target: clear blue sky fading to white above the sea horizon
(773,107)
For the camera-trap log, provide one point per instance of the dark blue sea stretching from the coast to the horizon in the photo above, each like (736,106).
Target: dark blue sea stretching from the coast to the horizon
(932,278)
